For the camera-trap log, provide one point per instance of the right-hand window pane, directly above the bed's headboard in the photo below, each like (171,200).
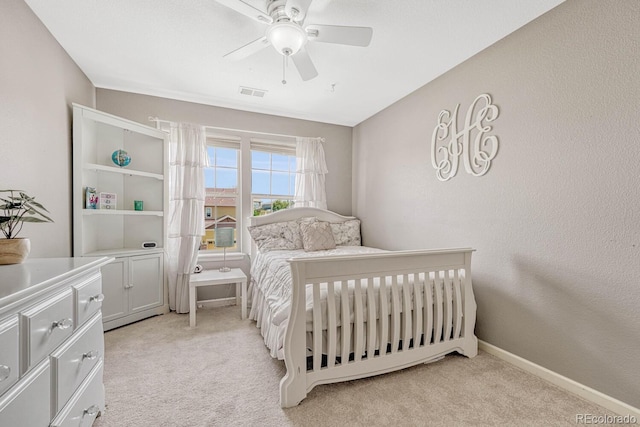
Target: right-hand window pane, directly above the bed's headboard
(272,180)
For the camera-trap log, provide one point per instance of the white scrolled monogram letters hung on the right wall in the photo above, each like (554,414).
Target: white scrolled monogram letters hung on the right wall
(477,154)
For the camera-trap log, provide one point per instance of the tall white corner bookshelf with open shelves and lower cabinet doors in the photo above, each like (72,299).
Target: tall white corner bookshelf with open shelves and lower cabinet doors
(130,294)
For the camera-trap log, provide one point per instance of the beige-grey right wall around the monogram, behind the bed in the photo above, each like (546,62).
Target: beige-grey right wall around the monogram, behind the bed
(556,221)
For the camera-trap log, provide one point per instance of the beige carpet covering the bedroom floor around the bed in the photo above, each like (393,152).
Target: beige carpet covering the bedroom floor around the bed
(159,372)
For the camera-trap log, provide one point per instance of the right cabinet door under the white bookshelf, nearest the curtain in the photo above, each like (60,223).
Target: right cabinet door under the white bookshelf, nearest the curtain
(147,282)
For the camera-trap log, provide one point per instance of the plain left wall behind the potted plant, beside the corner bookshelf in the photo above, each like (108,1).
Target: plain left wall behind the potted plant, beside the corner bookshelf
(38,83)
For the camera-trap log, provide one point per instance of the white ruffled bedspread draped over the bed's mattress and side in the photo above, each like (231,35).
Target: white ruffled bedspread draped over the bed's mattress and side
(270,290)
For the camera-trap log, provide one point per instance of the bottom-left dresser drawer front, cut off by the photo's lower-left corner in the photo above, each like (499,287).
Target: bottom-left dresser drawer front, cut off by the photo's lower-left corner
(27,403)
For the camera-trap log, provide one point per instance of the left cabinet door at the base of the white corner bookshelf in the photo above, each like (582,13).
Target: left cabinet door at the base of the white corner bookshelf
(114,283)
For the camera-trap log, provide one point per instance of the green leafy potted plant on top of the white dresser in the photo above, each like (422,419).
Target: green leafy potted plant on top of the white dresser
(16,208)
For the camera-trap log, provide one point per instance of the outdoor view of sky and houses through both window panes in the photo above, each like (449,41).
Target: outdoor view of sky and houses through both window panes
(272,172)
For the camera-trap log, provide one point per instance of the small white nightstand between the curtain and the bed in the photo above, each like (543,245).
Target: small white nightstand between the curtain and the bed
(216,277)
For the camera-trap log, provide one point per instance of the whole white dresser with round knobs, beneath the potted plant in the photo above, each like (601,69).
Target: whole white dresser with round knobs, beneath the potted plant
(51,342)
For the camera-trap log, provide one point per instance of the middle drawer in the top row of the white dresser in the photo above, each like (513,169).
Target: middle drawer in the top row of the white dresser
(45,326)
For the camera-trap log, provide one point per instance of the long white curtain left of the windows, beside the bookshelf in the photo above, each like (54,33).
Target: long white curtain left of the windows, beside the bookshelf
(187,157)
